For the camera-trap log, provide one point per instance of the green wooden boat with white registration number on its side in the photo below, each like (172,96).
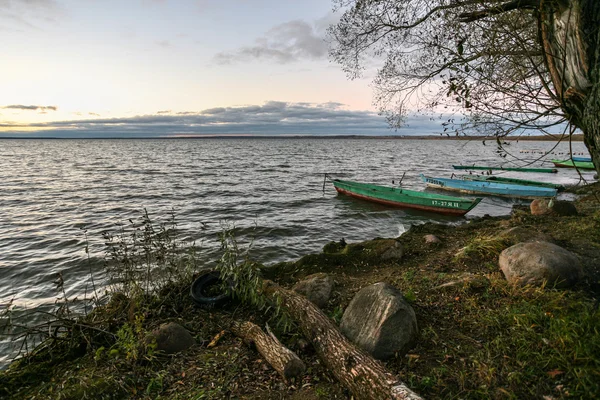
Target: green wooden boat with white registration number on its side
(404,198)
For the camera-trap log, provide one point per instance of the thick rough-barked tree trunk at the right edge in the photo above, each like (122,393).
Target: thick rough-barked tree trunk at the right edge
(570,35)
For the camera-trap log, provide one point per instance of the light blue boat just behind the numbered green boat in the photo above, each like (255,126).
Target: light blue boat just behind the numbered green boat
(493,188)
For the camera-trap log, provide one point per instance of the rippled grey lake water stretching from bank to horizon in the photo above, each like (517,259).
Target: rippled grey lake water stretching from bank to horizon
(271,189)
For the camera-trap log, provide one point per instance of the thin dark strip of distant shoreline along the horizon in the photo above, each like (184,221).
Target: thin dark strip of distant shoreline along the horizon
(545,138)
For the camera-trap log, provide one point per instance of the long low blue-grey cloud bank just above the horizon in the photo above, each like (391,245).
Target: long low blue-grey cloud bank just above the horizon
(271,118)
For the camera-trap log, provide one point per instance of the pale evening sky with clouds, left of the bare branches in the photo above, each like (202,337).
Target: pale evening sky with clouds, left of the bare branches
(147,68)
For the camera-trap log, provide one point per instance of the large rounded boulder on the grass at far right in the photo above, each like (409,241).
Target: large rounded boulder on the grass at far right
(537,262)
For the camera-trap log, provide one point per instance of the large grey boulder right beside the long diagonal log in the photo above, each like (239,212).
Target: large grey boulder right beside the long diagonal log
(380,321)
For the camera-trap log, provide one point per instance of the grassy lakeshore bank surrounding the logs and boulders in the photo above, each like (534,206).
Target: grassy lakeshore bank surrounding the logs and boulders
(479,337)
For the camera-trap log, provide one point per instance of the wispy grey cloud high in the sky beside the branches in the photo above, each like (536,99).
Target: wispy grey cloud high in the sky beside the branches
(285,43)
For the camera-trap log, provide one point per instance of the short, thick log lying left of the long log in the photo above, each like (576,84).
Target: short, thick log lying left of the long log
(282,359)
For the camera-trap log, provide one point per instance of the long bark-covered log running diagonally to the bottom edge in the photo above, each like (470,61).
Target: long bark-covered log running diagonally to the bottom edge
(354,368)
